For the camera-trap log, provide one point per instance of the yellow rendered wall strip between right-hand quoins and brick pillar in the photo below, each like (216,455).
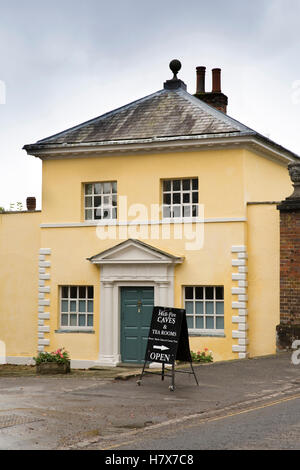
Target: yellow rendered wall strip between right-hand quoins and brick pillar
(263,278)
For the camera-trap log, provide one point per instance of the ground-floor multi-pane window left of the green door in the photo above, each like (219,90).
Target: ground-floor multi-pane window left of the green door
(77,306)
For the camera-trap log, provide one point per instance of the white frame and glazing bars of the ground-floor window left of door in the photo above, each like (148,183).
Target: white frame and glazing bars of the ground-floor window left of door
(68,312)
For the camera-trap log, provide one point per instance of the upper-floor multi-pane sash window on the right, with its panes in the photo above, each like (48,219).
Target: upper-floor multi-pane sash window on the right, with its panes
(180,198)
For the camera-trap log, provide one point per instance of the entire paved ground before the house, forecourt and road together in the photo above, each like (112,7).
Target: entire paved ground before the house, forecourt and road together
(92,411)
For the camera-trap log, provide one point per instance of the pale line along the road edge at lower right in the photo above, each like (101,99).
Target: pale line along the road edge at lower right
(209,420)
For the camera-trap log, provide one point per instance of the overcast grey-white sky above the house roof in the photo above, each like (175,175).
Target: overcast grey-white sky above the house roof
(64,62)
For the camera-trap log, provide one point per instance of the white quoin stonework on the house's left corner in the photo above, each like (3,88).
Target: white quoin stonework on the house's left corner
(43,301)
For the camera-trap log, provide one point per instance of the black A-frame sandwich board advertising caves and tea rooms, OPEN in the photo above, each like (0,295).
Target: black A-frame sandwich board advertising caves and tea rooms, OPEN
(168,341)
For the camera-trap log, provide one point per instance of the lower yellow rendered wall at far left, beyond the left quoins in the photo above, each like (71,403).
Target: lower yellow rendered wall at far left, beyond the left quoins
(19,248)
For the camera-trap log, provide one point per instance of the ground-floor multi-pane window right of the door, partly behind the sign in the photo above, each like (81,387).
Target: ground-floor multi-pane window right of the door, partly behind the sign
(204,307)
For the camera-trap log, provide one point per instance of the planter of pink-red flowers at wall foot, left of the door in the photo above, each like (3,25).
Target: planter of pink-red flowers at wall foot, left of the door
(57,362)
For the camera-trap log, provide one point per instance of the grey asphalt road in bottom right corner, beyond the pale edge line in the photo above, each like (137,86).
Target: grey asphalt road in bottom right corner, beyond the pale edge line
(270,426)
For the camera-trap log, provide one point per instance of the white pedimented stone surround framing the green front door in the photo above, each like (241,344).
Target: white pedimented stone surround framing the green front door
(131,263)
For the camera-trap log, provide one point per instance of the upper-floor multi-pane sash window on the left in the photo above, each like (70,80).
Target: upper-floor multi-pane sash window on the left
(100,200)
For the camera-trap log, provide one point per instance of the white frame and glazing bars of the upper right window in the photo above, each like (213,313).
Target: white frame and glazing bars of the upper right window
(181,210)
